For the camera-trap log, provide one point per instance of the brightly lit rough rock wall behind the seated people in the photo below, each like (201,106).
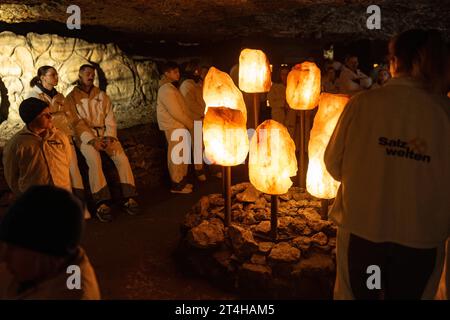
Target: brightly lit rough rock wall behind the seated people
(132,85)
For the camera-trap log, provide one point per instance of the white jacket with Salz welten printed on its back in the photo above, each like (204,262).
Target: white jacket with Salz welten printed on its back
(391,152)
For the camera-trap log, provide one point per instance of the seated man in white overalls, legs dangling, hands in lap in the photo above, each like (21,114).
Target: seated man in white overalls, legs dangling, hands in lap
(98,132)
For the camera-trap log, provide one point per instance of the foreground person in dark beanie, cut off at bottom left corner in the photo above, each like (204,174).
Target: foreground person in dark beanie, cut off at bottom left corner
(40,238)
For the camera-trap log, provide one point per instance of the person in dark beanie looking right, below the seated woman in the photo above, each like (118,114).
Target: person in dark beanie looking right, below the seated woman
(39,154)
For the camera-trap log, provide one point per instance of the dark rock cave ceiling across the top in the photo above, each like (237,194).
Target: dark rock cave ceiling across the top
(191,21)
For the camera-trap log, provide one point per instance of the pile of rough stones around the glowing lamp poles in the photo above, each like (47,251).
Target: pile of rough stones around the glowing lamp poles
(299,264)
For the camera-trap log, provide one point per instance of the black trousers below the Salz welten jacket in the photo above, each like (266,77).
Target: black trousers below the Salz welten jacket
(404,270)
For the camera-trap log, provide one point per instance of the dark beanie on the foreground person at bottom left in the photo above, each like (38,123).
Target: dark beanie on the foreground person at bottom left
(45,219)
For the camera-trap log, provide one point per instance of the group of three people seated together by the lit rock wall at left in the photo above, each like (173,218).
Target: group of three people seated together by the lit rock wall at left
(43,152)
